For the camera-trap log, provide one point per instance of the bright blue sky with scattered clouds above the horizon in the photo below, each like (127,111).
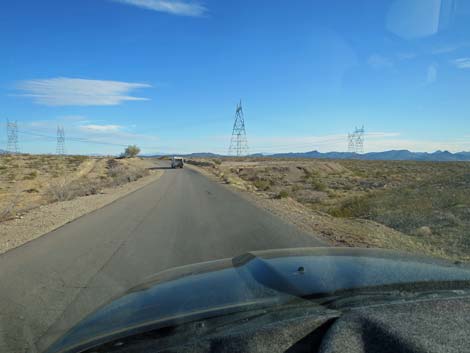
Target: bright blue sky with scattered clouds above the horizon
(167,75)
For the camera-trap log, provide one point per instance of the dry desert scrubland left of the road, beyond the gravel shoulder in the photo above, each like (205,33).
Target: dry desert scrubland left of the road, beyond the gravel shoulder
(30,181)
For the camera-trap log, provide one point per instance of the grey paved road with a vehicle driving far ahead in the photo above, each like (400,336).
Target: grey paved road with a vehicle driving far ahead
(52,282)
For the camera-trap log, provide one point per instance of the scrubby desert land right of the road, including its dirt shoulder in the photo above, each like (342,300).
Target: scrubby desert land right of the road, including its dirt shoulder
(421,207)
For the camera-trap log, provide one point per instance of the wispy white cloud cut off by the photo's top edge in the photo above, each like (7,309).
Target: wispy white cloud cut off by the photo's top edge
(174,7)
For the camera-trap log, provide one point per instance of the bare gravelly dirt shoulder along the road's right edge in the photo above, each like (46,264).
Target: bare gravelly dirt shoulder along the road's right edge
(351,232)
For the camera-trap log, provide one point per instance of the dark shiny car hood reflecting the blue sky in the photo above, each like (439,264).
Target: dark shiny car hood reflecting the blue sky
(256,279)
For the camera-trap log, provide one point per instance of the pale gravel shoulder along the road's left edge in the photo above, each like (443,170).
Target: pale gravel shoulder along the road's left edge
(44,219)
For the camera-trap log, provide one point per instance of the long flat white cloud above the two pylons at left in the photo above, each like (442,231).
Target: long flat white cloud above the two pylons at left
(64,91)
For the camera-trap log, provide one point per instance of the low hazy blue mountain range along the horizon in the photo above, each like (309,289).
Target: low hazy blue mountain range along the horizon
(393,155)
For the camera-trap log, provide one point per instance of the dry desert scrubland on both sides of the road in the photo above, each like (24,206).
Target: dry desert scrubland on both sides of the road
(421,207)
